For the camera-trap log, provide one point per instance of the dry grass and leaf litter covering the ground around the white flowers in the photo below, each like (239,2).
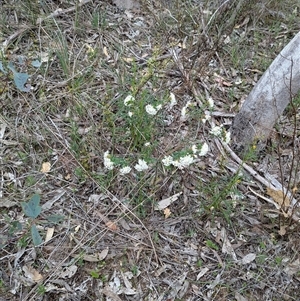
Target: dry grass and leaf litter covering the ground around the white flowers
(221,241)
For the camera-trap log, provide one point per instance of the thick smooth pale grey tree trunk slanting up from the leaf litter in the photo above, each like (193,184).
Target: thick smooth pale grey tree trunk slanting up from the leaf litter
(268,99)
